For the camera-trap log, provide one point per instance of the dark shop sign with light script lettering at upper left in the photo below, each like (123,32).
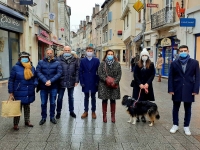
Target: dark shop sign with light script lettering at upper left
(11,23)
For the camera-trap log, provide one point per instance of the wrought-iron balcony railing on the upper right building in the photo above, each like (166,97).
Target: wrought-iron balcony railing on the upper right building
(163,17)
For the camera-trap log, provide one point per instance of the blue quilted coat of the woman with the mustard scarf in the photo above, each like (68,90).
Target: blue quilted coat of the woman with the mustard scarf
(22,89)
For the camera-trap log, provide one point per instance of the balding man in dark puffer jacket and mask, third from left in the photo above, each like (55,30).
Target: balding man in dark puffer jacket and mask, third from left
(69,79)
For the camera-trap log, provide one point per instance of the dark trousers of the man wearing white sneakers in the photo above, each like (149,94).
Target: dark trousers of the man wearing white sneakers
(187,107)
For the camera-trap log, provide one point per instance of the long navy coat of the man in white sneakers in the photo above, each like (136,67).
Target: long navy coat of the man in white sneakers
(184,84)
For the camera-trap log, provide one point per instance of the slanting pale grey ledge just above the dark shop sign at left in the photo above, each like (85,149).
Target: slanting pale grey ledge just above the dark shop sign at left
(12,12)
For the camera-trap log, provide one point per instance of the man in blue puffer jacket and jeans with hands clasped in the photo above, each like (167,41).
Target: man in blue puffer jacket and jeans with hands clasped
(48,71)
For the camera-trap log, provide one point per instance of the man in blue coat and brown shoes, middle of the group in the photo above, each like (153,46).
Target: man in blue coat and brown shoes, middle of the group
(89,80)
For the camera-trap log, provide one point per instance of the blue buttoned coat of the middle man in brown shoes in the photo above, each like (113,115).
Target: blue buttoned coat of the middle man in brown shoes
(89,79)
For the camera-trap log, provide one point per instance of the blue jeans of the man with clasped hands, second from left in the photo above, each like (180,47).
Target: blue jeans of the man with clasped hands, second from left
(44,99)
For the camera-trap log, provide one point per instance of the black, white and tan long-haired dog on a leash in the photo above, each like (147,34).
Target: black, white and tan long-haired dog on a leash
(140,108)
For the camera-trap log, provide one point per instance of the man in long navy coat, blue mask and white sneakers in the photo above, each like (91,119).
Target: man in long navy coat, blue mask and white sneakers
(183,85)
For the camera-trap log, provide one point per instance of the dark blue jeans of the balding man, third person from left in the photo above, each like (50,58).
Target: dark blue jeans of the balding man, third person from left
(61,92)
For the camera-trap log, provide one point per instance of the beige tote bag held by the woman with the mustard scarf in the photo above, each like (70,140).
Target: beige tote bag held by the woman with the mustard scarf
(11,108)
